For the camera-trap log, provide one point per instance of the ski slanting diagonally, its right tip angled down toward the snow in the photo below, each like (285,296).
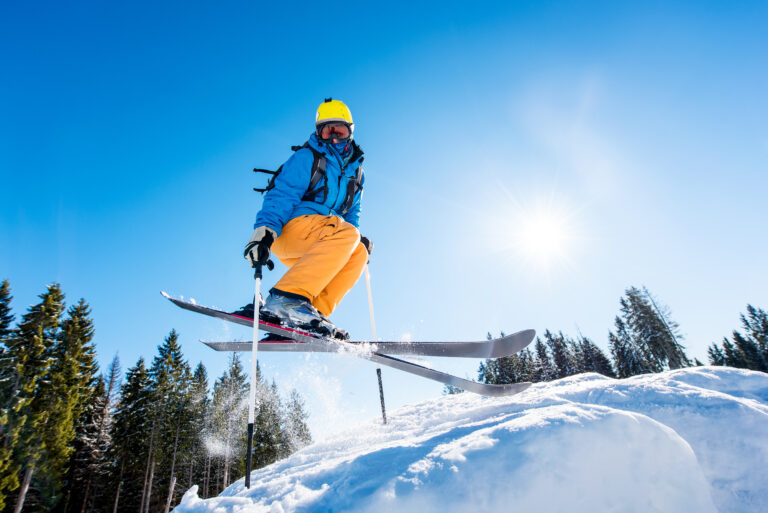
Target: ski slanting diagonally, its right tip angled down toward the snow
(359,350)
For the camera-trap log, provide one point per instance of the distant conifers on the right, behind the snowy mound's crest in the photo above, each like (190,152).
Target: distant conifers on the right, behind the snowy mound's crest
(644,340)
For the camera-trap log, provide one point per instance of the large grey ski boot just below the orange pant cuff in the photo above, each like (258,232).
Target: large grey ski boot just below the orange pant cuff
(294,311)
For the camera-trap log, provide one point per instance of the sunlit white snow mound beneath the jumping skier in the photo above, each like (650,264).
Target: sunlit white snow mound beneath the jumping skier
(687,440)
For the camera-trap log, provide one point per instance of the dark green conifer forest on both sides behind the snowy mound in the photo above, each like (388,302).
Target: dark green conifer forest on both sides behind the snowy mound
(78,438)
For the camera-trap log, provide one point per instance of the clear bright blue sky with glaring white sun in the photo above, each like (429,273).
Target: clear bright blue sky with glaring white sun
(633,137)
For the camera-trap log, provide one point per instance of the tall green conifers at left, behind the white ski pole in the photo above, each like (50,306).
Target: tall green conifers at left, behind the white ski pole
(74,439)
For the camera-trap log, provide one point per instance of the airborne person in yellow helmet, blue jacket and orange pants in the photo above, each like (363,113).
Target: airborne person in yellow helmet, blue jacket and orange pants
(309,219)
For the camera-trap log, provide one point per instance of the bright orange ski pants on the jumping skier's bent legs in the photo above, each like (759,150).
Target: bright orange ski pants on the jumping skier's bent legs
(324,257)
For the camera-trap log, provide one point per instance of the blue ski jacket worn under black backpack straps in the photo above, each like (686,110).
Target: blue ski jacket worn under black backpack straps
(284,202)
